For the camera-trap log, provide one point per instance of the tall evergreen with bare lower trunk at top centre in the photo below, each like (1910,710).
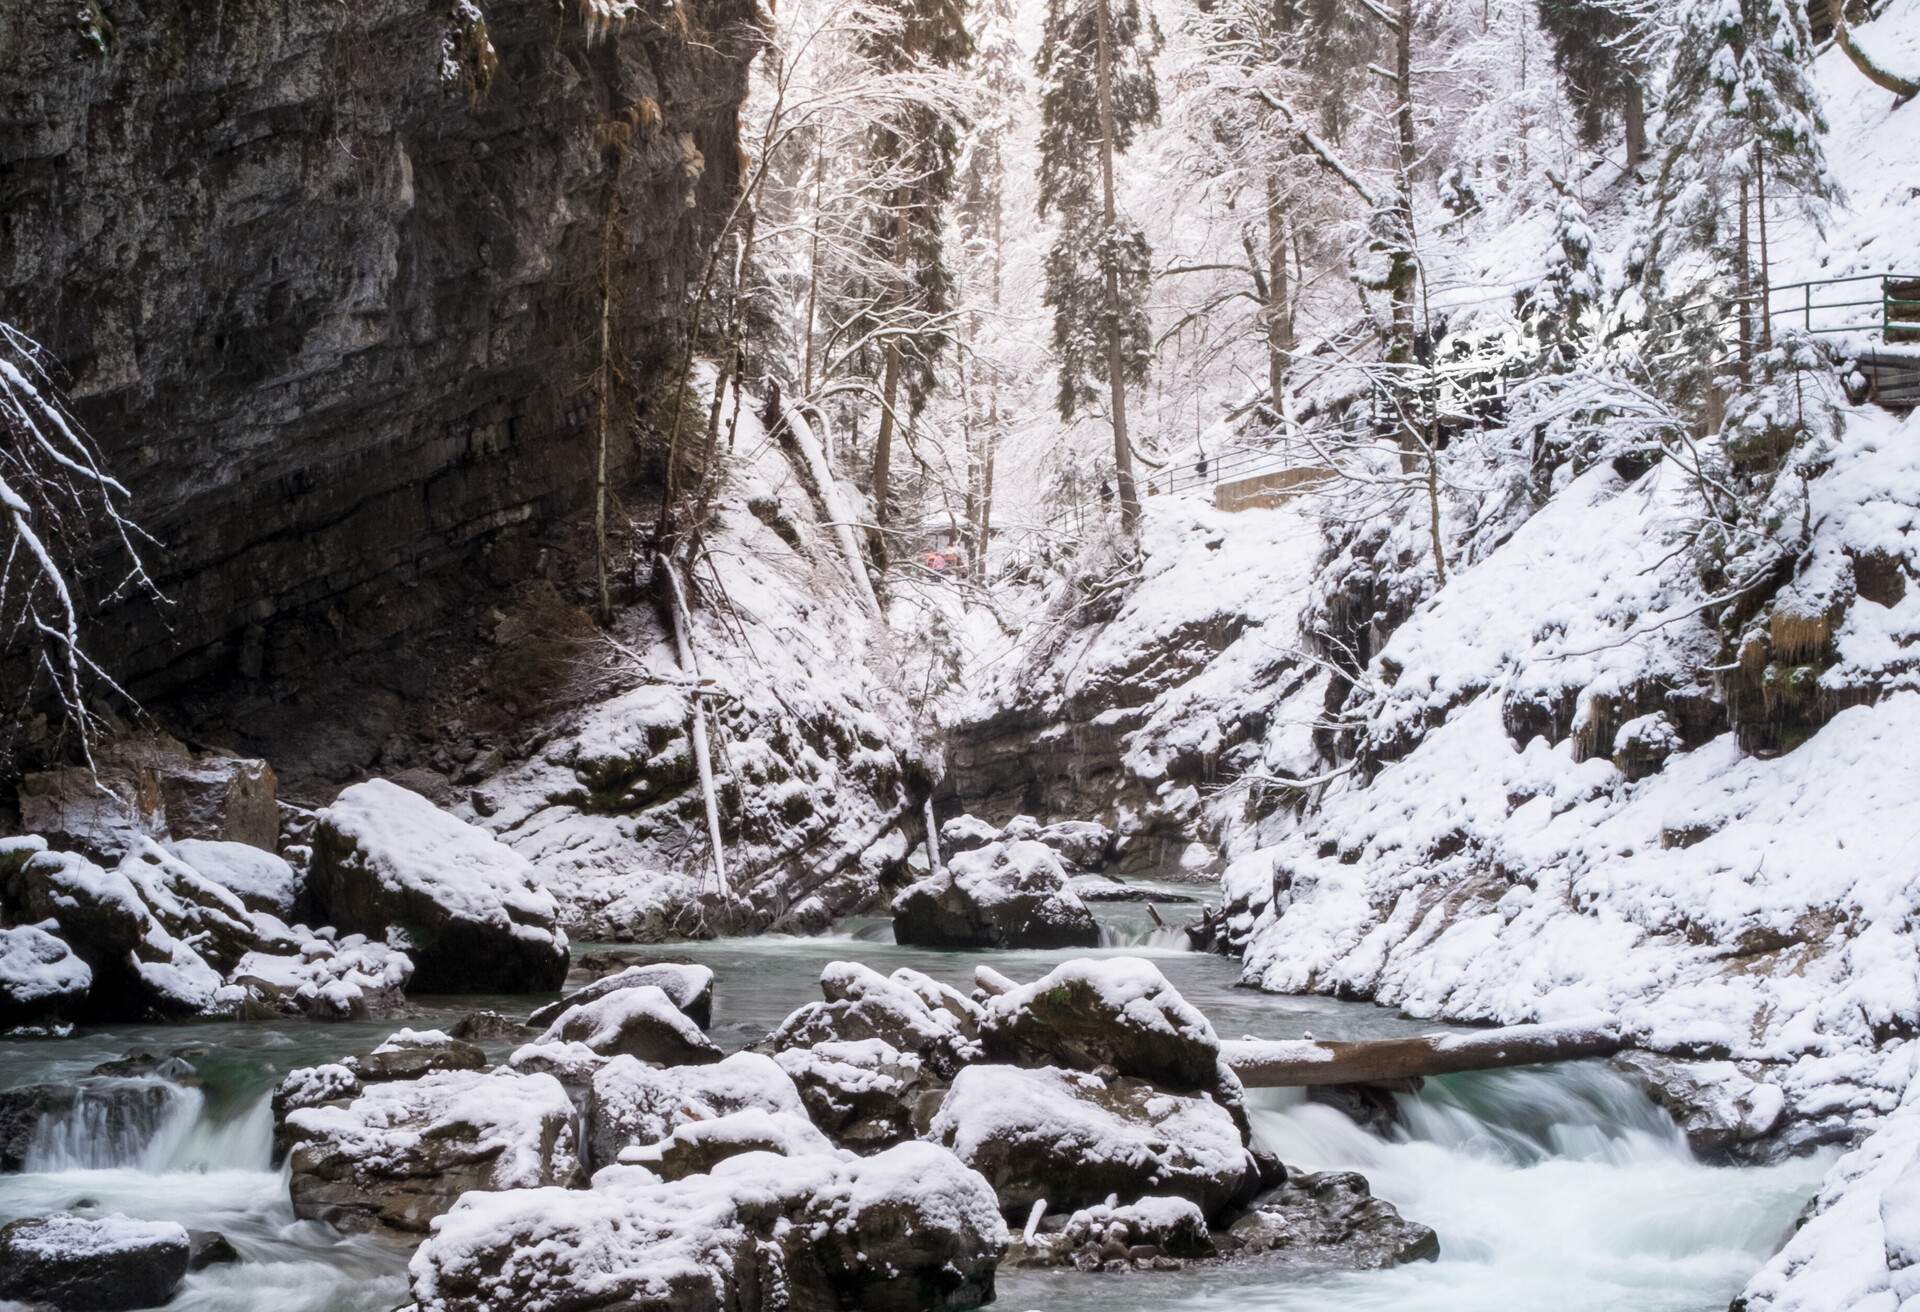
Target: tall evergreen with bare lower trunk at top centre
(1099,91)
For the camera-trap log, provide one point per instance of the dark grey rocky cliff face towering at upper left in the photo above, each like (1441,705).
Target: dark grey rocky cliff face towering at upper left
(325,283)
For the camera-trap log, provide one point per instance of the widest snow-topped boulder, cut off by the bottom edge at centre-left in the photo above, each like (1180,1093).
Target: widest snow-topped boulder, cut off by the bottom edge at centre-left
(900,1232)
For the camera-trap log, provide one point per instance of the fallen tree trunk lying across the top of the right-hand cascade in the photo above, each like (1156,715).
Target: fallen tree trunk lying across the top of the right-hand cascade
(1305,1063)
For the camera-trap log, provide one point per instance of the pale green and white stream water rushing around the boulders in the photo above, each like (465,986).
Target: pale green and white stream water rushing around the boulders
(1554,1188)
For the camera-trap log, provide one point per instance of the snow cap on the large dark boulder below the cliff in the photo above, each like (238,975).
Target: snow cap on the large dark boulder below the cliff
(412,846)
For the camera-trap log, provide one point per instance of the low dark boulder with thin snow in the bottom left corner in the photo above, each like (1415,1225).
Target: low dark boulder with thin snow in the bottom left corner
(95,1265)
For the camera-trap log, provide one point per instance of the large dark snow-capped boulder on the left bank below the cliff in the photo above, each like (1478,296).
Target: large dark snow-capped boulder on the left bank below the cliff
(471,908)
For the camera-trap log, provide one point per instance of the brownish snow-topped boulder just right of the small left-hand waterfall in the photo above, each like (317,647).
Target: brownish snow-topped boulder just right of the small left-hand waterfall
(400,1154)
